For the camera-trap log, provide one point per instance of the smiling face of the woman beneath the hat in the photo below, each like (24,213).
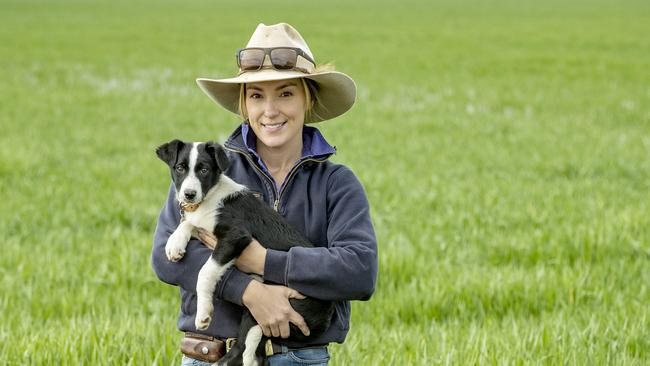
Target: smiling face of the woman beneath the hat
(276,112)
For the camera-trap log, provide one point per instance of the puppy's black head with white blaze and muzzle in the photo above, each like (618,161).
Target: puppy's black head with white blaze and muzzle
(195,167)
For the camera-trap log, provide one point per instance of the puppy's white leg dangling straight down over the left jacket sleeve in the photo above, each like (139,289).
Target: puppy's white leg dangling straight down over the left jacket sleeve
(209,276)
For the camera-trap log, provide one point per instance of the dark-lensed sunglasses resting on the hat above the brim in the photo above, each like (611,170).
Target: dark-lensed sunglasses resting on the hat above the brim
(282,58)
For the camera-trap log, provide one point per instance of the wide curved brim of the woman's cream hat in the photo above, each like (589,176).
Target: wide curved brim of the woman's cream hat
(336,92)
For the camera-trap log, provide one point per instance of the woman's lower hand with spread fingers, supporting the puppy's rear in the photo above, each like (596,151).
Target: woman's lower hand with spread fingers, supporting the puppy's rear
(270,307)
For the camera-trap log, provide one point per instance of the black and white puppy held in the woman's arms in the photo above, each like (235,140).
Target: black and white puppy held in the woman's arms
(235,216)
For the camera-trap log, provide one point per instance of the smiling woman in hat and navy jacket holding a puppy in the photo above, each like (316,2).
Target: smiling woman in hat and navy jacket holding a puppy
(279,90)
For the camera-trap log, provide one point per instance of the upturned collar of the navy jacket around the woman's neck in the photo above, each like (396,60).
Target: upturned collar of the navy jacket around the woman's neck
(314,144)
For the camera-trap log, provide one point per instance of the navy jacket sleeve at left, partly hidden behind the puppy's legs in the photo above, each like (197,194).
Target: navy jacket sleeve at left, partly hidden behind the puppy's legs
(185,272)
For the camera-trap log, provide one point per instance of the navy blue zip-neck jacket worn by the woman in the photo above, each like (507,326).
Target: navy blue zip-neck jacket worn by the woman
(324,200)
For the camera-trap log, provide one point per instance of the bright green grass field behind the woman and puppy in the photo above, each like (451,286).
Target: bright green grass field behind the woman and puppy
(504,146)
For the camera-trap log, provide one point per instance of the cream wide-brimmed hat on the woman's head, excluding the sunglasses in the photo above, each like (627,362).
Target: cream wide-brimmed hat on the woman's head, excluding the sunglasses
(336,90)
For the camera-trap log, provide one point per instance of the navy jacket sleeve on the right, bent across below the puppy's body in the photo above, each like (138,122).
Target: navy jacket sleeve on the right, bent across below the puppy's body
(347,268)
